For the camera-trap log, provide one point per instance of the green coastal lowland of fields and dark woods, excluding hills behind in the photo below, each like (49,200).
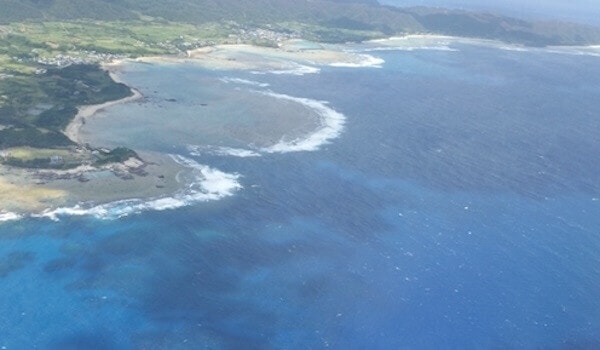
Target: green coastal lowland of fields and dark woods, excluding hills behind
(47,69)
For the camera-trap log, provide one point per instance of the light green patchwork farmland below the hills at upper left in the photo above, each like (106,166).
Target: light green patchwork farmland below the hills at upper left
(131,38)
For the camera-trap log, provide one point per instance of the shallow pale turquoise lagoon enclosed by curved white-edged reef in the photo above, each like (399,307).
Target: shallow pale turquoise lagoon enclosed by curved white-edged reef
(189,105)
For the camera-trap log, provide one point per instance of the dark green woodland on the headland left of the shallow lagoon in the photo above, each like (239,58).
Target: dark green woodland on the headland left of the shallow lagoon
(35,109)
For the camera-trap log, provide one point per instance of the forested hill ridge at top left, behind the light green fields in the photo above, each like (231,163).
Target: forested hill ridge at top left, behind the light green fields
(194,11)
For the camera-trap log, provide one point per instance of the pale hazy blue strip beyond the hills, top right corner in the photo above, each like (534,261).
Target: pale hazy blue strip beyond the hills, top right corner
(586,11)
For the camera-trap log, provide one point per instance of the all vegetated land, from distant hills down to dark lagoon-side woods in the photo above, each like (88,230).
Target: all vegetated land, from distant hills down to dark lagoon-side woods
(50,50)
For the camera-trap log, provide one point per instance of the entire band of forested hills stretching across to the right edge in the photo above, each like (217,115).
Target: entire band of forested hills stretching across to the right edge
(344,14)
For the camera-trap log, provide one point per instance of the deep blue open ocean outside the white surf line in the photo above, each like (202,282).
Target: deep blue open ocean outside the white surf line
(459,209)
